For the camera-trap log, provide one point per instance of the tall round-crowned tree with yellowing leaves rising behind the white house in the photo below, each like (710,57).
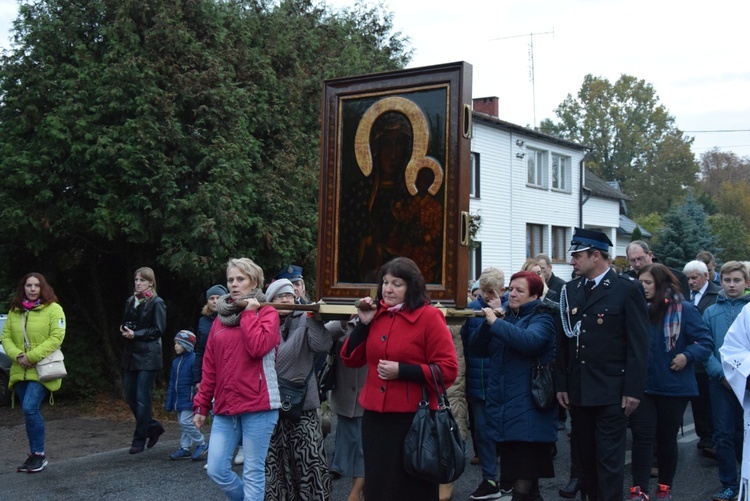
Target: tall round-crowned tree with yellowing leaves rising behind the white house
(633,137)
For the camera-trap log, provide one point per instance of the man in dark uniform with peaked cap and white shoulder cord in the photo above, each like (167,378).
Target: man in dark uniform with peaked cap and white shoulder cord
(602,361)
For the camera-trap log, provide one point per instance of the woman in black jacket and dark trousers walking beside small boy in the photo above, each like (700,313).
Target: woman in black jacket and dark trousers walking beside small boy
(143,324)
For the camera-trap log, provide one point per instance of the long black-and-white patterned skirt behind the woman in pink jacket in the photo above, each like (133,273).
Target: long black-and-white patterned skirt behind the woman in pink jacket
(296,464)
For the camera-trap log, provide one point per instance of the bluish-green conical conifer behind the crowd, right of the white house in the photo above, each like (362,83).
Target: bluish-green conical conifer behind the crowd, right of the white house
(685,233)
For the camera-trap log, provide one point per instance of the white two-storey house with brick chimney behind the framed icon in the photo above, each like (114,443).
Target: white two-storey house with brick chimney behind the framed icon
(530,192)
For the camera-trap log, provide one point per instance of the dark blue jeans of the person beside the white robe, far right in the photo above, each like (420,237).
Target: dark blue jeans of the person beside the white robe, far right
(727,432)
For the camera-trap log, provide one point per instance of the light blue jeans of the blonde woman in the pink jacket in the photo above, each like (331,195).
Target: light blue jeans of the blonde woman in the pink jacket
(255,429)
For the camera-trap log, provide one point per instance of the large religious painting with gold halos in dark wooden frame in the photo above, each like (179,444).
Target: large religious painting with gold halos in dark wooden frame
(394,180)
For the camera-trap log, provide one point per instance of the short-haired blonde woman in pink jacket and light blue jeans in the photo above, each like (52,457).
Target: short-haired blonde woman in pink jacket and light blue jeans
(239,382)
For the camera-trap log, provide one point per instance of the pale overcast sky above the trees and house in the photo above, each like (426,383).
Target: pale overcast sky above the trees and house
(695,54)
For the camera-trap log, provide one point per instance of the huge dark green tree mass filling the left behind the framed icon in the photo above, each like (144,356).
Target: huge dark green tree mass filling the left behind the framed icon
(171,134)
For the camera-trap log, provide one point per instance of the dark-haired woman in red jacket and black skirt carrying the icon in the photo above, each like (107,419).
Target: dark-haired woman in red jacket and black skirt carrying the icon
(397,339)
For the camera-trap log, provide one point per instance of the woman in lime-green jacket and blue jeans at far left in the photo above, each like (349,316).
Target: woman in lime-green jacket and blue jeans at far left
(35,310)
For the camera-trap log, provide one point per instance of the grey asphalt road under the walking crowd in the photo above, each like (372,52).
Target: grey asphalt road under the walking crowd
(116,475)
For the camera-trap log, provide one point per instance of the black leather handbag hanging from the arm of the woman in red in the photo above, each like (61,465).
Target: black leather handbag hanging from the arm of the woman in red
(434,449)
